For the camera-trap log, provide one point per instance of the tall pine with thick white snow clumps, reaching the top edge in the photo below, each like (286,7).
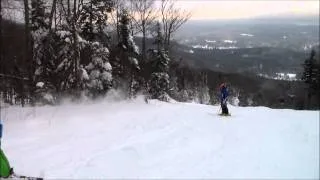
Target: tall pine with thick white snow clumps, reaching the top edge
(92,23)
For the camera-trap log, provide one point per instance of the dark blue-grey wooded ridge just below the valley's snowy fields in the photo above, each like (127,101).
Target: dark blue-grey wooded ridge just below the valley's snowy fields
(255,60)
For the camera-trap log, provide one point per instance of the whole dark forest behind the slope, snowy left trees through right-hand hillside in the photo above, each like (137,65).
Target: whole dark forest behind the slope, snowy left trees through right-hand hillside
(82,49)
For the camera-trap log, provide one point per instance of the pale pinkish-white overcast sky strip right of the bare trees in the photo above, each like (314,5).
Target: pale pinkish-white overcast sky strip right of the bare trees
(237,9)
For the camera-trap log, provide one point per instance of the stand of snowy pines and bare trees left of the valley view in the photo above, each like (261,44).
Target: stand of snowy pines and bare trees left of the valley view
(84,48)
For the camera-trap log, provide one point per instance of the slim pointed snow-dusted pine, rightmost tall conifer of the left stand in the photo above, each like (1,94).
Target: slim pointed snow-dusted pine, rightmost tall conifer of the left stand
(159,81)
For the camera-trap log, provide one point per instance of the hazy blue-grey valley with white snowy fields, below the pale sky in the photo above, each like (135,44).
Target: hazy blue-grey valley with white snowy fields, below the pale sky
(252,46)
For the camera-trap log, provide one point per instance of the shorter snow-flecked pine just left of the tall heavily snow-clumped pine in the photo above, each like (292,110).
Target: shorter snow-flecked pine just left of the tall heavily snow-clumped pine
(55,69)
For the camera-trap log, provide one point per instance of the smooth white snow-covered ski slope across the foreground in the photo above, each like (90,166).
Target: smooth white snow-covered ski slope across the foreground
(161,140)
